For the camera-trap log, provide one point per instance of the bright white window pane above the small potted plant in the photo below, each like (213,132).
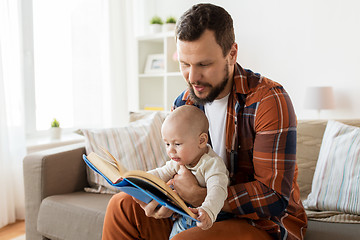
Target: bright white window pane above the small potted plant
(69,53)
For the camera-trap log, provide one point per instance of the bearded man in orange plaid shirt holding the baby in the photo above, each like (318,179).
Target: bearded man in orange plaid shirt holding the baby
(252,126)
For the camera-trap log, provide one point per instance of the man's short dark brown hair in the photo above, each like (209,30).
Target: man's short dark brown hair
(200,17)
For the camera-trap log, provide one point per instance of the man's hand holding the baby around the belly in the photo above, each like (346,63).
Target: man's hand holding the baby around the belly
(186,185)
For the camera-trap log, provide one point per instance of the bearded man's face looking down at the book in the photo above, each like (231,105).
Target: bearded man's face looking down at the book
(205,69)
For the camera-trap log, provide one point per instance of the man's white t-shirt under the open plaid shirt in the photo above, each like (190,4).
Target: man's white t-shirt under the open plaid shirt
(216,114)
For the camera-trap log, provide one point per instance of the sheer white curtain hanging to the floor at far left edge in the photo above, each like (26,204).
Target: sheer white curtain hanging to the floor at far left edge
(12,133)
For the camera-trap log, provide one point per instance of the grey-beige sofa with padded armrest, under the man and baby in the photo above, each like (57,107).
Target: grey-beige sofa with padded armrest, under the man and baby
(58,208)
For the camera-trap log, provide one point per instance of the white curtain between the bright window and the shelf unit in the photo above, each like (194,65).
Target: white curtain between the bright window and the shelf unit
(120,50)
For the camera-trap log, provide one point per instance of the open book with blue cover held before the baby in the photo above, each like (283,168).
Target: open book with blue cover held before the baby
(139,184)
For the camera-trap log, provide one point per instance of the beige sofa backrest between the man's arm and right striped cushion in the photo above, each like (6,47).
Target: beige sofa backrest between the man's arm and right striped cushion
(309,138)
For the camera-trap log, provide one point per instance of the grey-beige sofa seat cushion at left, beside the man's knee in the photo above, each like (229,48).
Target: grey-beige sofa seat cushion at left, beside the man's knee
(73,216)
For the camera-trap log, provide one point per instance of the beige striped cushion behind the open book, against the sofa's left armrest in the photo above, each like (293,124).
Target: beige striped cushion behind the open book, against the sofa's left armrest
(137,146)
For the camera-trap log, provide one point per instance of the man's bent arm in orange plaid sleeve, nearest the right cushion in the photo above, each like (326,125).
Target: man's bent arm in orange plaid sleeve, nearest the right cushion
(274,159)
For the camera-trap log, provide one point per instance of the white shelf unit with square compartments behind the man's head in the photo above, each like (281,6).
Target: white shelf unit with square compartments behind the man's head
(158,90)
